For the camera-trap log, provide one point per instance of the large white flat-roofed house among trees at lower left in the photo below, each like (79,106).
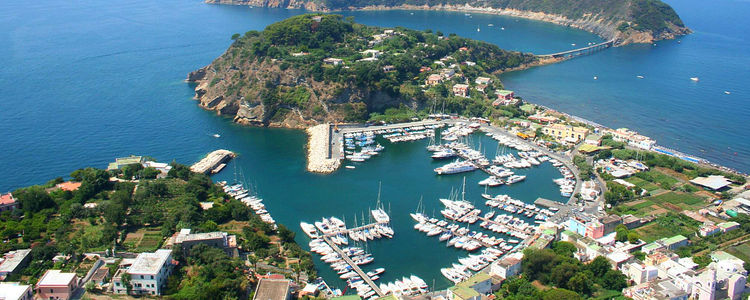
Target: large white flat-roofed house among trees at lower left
(148,273)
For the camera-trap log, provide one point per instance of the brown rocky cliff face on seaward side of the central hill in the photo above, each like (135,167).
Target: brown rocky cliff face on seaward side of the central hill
(235,88)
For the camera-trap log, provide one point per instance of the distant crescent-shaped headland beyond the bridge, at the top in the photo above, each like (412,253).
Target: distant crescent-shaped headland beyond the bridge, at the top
(627,21)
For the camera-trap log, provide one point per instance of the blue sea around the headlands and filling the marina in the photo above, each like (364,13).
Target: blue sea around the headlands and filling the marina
(86,81)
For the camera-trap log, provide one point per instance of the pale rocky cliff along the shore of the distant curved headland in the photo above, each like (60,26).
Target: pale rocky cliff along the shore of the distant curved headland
(604,26)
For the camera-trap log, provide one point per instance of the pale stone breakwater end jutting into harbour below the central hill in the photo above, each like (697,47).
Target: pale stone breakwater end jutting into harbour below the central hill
(317,150)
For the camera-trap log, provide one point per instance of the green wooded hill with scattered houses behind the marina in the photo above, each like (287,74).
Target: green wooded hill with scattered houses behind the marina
(321,68)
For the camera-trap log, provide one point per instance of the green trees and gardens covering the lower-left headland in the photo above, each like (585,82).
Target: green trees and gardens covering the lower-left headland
(137,217)
